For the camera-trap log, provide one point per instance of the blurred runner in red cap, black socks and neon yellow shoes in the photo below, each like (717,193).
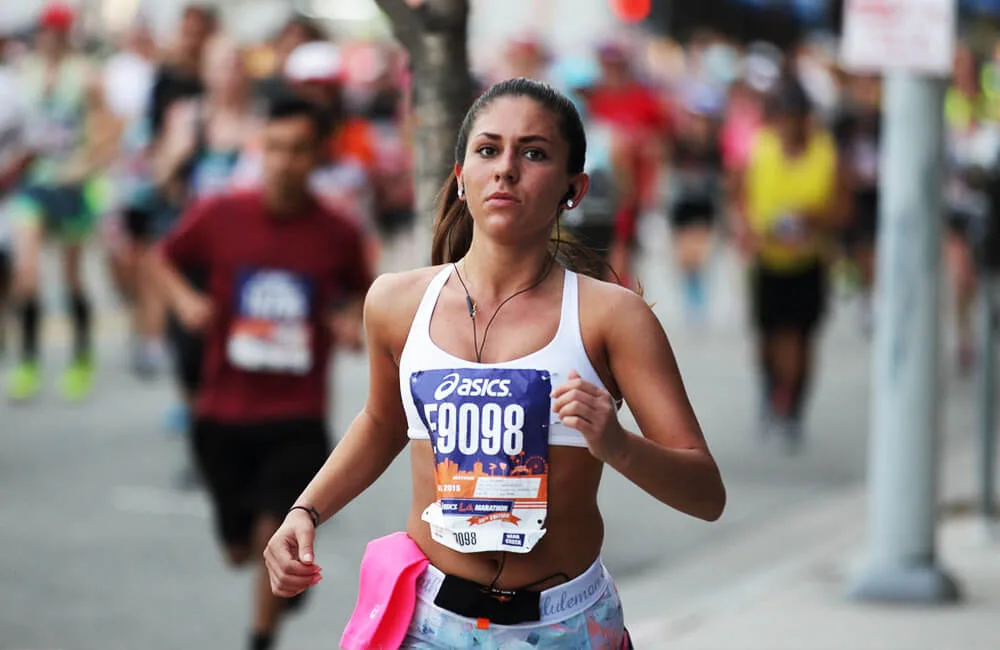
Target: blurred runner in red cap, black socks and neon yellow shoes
(61,194)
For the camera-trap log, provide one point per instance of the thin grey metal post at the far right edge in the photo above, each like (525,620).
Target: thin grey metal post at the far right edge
(987,403)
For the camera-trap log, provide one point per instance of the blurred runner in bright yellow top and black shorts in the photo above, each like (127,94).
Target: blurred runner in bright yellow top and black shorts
(792,202)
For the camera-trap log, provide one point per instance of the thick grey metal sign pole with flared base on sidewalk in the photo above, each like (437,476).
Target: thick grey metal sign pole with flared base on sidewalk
(905,420)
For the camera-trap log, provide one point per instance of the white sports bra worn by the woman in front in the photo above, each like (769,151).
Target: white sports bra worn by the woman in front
(563,353)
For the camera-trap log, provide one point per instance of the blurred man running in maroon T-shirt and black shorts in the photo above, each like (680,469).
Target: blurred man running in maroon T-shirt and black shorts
(286,280)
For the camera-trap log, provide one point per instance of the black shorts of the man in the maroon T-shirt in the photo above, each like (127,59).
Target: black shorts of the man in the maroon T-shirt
(257,469)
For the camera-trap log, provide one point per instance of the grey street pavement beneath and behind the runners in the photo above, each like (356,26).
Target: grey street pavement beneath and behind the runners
(100,550)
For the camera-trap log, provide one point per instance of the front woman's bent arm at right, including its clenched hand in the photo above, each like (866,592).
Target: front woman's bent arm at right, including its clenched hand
(670,460)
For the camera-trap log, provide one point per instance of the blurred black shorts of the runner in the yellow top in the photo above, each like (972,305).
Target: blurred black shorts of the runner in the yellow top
(788,300)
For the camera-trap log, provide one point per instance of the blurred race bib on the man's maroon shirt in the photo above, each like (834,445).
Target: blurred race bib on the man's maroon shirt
(270,330)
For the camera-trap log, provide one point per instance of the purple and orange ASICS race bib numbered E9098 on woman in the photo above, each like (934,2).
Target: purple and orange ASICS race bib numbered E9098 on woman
(490,433)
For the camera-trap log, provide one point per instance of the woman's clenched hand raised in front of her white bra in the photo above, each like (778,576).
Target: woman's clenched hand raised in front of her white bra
(590,410)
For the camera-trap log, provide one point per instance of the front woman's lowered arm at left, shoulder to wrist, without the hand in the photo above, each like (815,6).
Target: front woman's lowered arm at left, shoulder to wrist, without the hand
(378,433)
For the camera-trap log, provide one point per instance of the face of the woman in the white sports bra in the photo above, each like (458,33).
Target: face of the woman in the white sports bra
(514,172)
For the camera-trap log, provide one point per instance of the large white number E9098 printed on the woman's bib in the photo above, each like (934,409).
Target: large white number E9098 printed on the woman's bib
(471,428)
